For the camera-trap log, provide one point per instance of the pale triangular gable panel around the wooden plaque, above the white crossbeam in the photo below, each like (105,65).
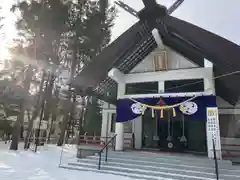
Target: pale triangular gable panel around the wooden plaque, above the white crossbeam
(174,61)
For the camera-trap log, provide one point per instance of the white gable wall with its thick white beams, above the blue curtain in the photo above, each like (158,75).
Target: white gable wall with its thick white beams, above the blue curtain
(179,68)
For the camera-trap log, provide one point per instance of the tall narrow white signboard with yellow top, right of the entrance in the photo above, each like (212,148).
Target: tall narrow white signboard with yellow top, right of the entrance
(213,132)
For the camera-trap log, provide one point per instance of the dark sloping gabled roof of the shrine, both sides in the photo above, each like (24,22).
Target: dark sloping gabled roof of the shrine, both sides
(137,42)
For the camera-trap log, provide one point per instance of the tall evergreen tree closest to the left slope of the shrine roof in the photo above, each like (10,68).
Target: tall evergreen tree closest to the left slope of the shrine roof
(90,25)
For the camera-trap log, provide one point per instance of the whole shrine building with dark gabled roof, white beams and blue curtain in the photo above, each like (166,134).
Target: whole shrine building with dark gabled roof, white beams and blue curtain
(167,83)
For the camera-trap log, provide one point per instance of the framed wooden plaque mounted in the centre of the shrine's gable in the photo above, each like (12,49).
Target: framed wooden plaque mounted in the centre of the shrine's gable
(160,61)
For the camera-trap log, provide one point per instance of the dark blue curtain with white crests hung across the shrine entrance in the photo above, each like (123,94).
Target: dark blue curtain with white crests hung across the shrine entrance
(125,113)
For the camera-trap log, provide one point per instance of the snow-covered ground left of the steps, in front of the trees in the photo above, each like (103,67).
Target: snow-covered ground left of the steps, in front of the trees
(43,165)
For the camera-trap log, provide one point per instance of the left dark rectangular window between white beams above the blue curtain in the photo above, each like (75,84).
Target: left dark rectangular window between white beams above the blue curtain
(142,88)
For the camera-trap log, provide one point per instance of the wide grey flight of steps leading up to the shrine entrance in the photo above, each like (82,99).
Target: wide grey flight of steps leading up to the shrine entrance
(157,166)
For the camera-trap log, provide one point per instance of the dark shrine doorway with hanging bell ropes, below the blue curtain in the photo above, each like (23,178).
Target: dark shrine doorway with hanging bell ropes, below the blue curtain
(173,134)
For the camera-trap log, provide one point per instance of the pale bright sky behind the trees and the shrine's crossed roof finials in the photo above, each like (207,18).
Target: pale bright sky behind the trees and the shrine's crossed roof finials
(217,16)
